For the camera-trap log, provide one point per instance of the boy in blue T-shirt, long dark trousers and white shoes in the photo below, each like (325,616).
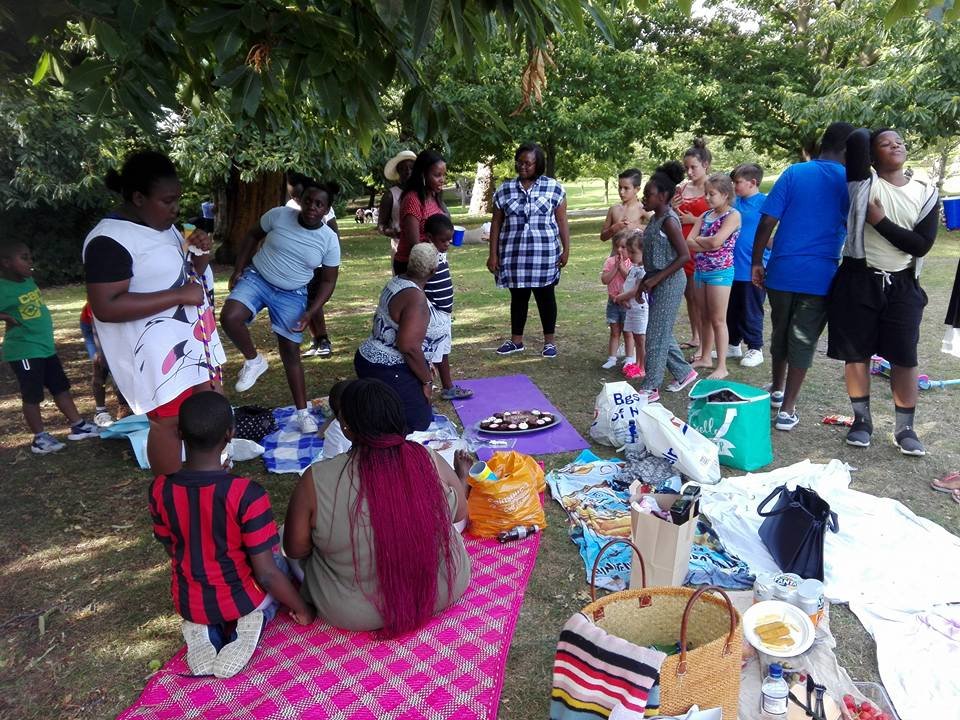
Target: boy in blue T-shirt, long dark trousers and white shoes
(745,308)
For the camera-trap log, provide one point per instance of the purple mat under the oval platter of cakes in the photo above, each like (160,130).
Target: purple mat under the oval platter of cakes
(516,392)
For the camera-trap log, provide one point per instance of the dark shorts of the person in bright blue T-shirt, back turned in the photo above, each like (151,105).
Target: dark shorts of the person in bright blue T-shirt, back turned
(798,320)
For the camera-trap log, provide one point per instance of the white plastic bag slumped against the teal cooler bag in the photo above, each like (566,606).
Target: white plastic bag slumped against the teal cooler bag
(669,437)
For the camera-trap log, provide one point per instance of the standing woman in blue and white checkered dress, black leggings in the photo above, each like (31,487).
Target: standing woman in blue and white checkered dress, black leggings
(529,243)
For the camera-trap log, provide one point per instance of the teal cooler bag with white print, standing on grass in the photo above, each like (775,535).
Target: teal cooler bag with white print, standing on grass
(736,418)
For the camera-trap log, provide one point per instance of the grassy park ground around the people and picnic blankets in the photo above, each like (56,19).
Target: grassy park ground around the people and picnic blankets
(85,588)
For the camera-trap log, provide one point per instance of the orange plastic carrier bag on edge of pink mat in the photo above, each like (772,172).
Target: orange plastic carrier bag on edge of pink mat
(512,500)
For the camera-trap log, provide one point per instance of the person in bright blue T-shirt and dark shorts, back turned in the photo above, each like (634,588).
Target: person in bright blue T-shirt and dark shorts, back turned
(809,201)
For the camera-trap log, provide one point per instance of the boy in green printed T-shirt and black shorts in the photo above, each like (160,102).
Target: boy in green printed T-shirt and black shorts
(28,347)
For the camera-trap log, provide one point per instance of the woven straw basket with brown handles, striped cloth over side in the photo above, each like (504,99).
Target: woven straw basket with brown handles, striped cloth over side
(708,674)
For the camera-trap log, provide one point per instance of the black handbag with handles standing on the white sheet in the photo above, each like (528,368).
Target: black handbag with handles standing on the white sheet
(795,529)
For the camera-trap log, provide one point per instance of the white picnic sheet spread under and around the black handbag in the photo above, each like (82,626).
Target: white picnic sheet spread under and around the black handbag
(897,571)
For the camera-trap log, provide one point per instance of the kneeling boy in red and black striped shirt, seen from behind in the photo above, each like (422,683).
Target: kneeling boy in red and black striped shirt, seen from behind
(219,532)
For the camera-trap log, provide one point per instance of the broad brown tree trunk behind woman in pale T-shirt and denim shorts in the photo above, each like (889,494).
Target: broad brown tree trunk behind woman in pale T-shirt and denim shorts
(239,207)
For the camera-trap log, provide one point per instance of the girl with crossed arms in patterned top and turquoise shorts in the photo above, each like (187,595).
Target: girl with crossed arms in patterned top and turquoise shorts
(713,238)
